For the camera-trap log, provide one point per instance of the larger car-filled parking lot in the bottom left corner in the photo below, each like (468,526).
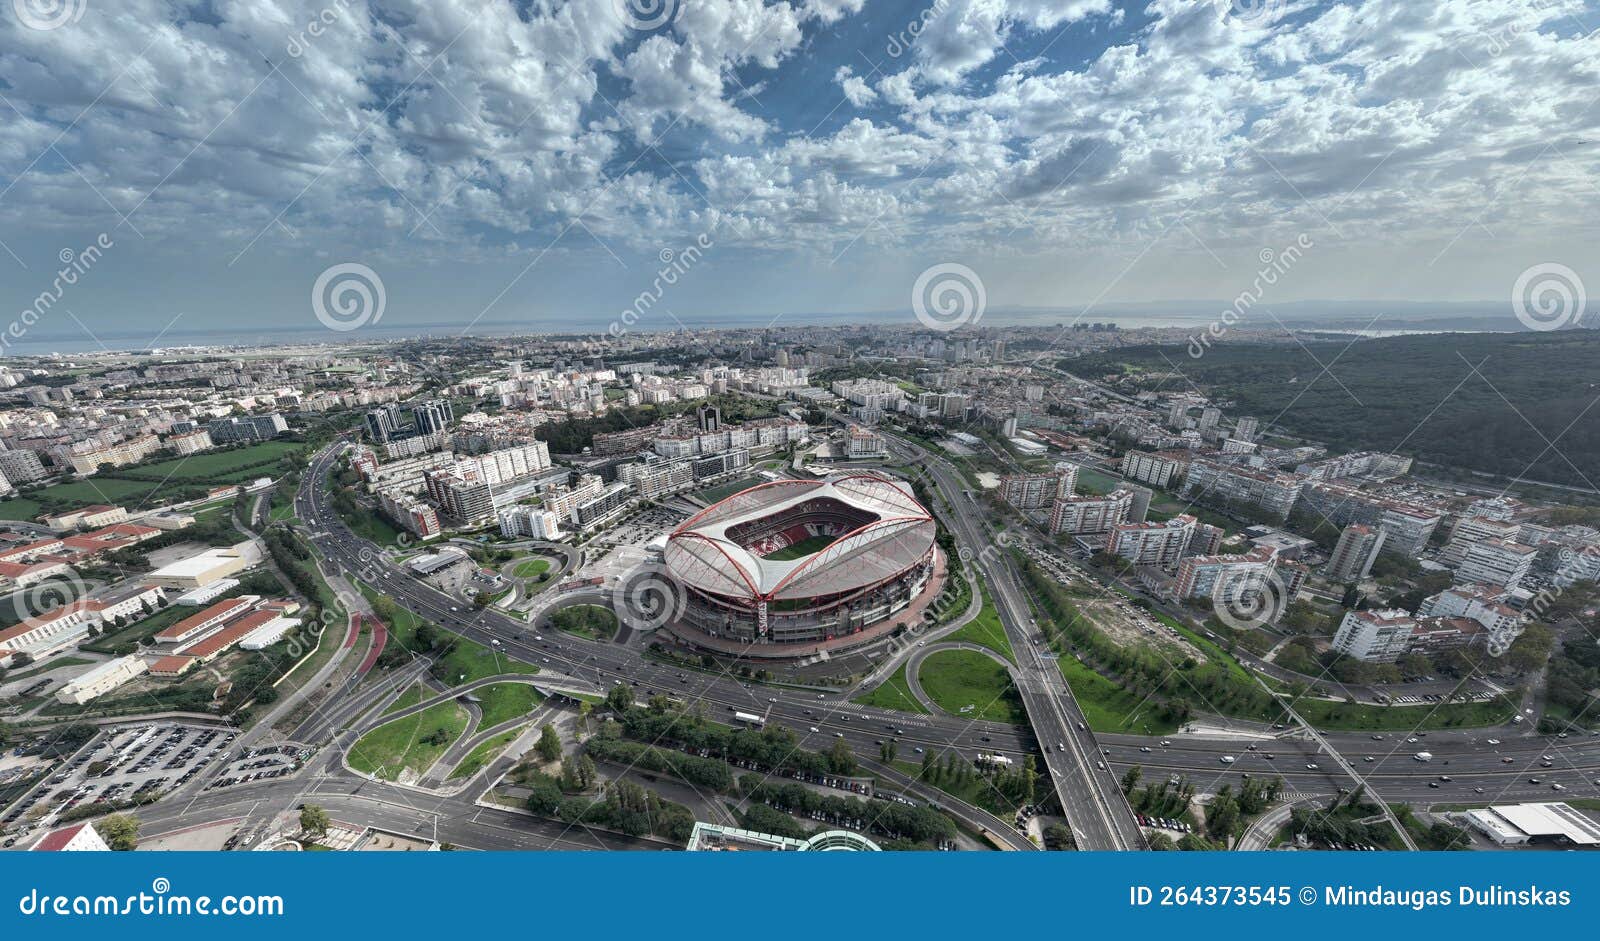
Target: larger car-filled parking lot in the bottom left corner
(121,769)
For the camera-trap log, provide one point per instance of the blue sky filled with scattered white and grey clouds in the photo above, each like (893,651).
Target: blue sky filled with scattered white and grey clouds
(215,164)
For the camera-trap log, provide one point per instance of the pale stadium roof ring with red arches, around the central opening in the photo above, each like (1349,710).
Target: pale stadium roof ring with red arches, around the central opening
(898,534)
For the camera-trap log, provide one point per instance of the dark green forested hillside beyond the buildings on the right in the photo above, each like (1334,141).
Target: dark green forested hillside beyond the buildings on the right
(1530,409)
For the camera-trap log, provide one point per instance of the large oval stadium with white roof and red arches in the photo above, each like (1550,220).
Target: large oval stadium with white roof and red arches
(804,566)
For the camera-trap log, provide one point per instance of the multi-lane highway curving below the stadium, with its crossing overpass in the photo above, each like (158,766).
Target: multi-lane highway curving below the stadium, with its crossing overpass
(1084,767)
